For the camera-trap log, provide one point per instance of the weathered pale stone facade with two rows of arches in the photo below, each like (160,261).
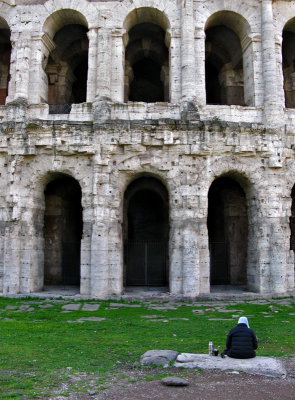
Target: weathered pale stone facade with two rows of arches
(105,144)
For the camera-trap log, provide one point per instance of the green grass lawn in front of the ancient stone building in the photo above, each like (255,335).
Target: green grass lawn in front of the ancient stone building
(45,349)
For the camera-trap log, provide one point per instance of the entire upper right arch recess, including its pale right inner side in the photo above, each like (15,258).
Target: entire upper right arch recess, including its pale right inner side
(229,59)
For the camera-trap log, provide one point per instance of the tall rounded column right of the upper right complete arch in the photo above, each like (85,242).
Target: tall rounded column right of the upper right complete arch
(272,109)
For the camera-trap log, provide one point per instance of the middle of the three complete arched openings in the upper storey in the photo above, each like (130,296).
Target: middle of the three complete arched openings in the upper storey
(146,57)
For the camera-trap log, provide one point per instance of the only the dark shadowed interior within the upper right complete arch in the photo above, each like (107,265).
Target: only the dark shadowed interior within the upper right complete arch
(224,67)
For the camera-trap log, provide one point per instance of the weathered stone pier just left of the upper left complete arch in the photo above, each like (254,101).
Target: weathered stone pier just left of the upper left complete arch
(19,65)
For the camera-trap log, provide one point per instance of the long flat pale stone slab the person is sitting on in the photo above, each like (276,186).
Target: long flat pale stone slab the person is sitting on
(266,366)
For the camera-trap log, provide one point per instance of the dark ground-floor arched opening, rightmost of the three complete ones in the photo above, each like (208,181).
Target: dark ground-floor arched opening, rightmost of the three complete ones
(228,233)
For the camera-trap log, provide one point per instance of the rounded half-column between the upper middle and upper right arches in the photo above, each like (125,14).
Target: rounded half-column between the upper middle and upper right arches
(188,81)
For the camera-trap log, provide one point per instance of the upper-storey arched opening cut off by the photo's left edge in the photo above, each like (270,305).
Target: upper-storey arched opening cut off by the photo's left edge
(5,53)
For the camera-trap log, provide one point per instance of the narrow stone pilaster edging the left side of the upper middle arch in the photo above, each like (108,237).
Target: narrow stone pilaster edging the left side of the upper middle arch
(118,53)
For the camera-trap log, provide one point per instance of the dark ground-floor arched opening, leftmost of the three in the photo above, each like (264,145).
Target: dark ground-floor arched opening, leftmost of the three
(62,231)
